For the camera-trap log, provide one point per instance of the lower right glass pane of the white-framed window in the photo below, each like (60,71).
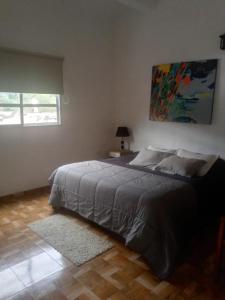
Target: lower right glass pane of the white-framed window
(40,115)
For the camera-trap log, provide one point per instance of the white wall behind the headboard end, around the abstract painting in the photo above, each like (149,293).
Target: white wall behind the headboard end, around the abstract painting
(176,30)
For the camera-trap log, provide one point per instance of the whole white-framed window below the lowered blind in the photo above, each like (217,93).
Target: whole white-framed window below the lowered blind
(29,109)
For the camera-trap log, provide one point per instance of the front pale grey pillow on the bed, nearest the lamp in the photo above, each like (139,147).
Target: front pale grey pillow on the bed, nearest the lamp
(148,157)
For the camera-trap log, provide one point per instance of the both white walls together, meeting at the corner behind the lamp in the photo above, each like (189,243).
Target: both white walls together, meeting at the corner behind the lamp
(100,71)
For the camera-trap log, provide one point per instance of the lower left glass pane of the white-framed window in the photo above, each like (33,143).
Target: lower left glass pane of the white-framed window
(9,115)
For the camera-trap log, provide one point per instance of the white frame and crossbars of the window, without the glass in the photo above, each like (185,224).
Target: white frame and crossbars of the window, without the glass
(21,106)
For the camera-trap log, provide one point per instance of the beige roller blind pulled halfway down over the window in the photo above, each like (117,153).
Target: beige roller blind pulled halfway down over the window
(22,72)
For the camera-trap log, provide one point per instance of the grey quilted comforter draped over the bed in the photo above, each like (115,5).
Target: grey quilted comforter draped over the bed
(152,213)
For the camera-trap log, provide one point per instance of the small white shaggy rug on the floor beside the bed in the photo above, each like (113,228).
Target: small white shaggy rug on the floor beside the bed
(73,241)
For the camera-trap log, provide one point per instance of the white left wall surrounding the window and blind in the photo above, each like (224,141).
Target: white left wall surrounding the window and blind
(29,155)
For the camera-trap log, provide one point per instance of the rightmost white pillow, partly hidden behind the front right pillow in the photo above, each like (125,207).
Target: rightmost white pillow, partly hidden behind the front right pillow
(208,158)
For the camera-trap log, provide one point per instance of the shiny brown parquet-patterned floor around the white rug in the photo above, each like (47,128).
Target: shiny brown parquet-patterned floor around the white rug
(32,269)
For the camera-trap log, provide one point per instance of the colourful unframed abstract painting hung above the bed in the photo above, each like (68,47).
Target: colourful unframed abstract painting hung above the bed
(183,92)
